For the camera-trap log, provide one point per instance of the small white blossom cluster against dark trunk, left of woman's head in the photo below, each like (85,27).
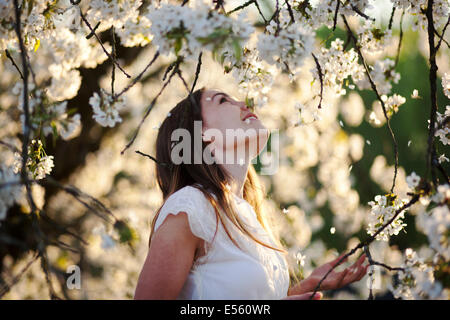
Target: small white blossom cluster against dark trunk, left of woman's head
(106,108)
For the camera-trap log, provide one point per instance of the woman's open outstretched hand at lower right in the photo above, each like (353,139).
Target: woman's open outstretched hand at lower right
(336,280)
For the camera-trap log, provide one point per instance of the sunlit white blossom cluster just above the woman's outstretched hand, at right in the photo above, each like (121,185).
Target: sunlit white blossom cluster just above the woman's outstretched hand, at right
(383,209)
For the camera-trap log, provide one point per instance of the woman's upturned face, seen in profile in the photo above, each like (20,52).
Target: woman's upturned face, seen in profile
(230,125)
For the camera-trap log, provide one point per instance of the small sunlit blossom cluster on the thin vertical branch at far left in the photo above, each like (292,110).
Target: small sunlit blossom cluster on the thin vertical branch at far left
(38,163)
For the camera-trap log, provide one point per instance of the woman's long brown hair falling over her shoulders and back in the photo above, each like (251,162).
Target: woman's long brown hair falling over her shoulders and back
(208,178)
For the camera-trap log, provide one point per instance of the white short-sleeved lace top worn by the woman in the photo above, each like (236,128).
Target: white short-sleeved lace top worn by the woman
(226,272)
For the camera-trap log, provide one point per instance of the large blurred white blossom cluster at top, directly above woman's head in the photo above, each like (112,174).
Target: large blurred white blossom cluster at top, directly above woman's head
(189,29)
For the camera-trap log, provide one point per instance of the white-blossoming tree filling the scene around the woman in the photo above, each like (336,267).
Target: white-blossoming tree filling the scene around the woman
(308,66)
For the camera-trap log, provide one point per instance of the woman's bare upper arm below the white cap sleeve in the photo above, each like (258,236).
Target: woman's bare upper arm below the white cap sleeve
(169,259)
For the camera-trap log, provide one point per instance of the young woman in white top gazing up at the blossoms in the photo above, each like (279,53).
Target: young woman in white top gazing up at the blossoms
(210,239)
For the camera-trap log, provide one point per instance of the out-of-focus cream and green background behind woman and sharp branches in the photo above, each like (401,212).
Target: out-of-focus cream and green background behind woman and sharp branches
(317,198)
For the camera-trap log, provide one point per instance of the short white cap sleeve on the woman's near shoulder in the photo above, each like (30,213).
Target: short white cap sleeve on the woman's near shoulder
(200,212)
